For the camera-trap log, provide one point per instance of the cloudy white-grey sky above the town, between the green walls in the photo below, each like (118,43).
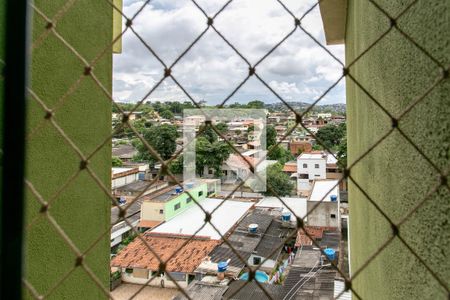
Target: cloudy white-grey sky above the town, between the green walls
(298,70)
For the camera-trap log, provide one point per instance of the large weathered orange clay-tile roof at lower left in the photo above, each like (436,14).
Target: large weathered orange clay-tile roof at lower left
(187,257)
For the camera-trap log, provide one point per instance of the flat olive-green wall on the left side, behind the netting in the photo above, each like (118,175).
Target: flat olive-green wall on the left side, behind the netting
(82,209)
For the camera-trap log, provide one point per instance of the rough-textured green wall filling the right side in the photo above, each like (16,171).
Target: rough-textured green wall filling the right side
(394,174)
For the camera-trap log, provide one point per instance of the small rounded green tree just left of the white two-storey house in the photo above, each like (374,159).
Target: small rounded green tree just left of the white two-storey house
(278,181)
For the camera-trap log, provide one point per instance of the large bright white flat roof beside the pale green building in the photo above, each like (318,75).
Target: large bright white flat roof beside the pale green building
(192,219)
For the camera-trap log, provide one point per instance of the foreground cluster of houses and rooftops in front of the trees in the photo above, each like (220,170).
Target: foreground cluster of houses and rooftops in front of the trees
(198,239)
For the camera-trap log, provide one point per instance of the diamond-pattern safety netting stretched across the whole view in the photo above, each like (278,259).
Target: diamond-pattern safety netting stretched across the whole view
(85,158)
